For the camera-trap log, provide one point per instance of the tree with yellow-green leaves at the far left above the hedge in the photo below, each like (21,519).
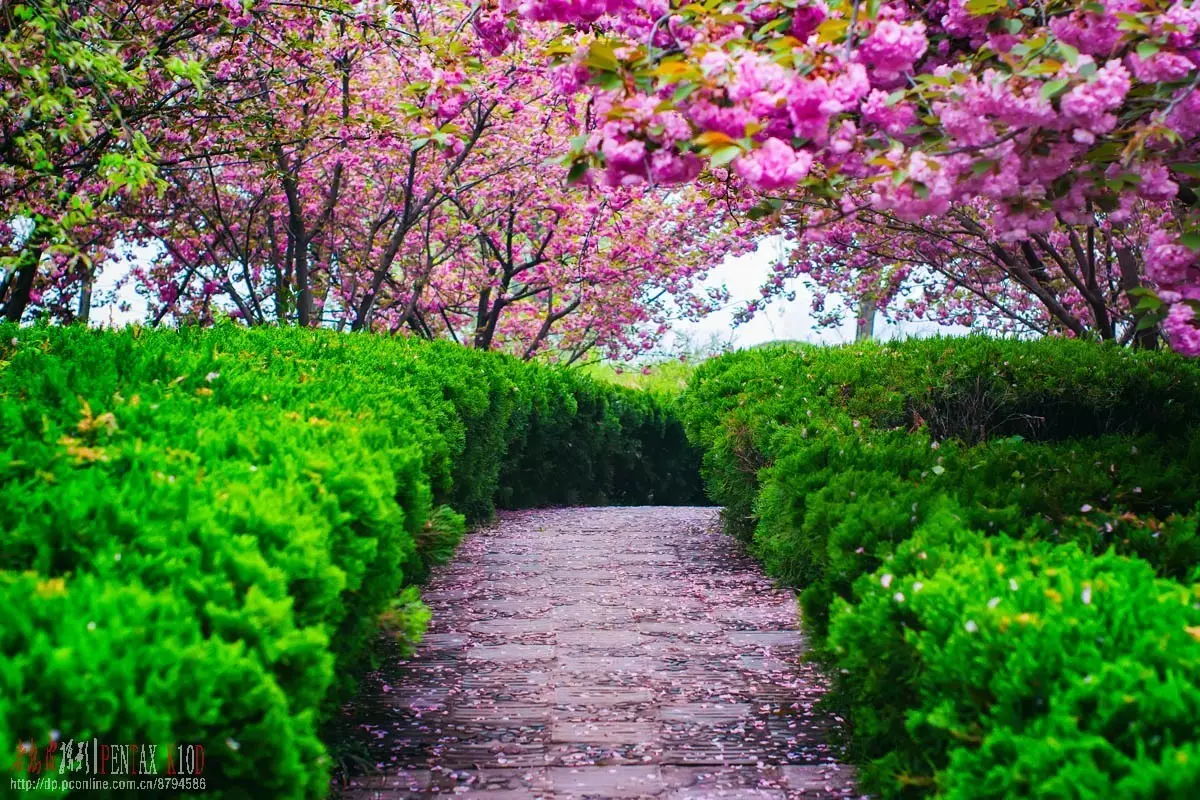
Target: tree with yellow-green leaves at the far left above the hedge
(85,87)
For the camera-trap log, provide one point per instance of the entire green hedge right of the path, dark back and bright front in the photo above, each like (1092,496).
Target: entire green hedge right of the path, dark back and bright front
(997,548)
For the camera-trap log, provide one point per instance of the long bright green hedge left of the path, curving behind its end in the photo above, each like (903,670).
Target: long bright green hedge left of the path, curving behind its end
(203,531)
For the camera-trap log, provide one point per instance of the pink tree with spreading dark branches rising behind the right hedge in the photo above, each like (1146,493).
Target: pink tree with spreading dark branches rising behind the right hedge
(957,269)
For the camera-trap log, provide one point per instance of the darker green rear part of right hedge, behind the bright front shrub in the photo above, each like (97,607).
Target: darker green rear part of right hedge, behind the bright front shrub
(812,450)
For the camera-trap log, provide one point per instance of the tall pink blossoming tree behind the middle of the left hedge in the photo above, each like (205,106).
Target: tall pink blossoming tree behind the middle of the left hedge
(296,189)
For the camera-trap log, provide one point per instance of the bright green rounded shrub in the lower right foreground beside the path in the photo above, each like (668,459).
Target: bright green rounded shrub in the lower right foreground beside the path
(989,667)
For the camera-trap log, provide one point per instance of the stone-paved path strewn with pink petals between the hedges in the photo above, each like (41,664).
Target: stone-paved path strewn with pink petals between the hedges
(602,653)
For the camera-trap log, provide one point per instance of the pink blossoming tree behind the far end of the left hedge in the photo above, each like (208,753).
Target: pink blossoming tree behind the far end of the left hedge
(551,268)
